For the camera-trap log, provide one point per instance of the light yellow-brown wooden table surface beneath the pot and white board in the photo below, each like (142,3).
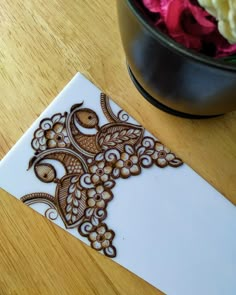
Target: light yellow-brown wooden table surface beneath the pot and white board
(43,44)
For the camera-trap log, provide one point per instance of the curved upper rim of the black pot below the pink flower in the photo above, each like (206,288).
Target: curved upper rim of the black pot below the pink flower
(175,46)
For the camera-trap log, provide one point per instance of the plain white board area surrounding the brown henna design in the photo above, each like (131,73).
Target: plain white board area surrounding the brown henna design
(172,228)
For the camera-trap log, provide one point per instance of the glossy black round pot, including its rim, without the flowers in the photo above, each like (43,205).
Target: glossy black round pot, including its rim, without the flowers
(170,76)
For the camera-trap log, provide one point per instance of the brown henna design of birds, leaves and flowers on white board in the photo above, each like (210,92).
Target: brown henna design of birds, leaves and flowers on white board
(92,163)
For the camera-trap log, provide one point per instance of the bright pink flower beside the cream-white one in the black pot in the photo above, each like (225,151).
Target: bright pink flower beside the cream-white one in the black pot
(190,25)
